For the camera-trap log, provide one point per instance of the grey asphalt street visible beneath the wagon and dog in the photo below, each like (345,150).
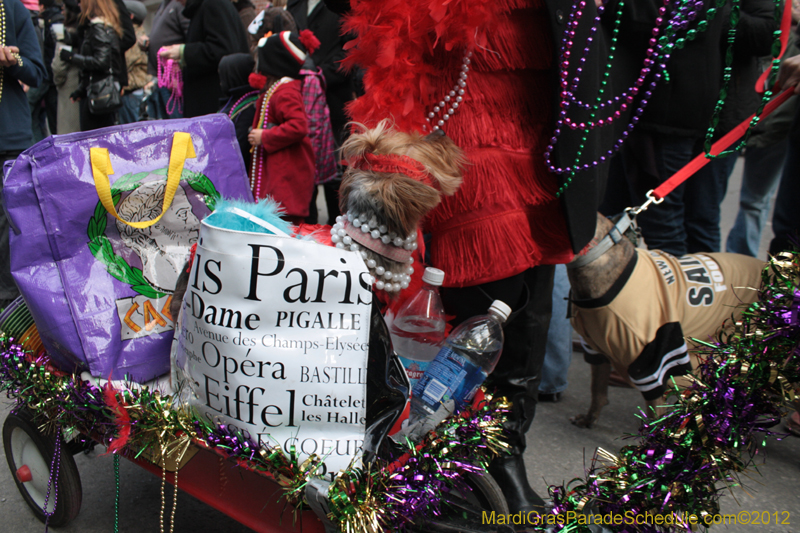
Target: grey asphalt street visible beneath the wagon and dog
(557,453)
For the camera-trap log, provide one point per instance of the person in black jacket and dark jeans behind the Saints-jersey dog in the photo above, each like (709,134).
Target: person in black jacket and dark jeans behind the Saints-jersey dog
(672,128)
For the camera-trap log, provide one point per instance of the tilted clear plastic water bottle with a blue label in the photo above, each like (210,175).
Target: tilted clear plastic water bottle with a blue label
(469,354)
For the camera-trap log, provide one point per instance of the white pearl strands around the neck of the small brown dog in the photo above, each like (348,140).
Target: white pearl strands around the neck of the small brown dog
(389,275)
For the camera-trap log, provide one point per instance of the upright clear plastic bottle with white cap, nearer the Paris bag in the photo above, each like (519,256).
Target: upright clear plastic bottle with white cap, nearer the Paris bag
(418,329)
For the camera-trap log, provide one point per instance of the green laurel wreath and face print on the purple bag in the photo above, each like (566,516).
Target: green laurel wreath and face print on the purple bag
(160,247)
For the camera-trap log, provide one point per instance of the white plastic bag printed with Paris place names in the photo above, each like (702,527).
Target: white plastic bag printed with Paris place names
(273,341)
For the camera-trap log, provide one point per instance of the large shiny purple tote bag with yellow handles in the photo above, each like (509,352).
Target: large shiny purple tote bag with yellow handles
(99,289)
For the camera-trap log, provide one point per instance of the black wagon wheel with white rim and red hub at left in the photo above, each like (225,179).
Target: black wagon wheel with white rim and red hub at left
(29,454)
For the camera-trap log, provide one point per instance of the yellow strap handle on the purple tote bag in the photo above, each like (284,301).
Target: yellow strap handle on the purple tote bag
(182,148)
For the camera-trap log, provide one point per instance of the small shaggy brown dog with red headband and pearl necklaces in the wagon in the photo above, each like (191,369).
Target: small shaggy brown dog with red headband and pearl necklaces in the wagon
(393,179)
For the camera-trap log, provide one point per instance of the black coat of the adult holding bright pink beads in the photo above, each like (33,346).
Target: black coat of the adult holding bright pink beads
(215,30)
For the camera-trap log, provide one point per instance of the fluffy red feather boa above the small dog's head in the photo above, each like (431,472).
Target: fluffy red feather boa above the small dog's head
(395,41)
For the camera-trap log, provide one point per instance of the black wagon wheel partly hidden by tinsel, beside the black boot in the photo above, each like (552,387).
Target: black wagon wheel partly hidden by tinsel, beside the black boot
(462,512)
